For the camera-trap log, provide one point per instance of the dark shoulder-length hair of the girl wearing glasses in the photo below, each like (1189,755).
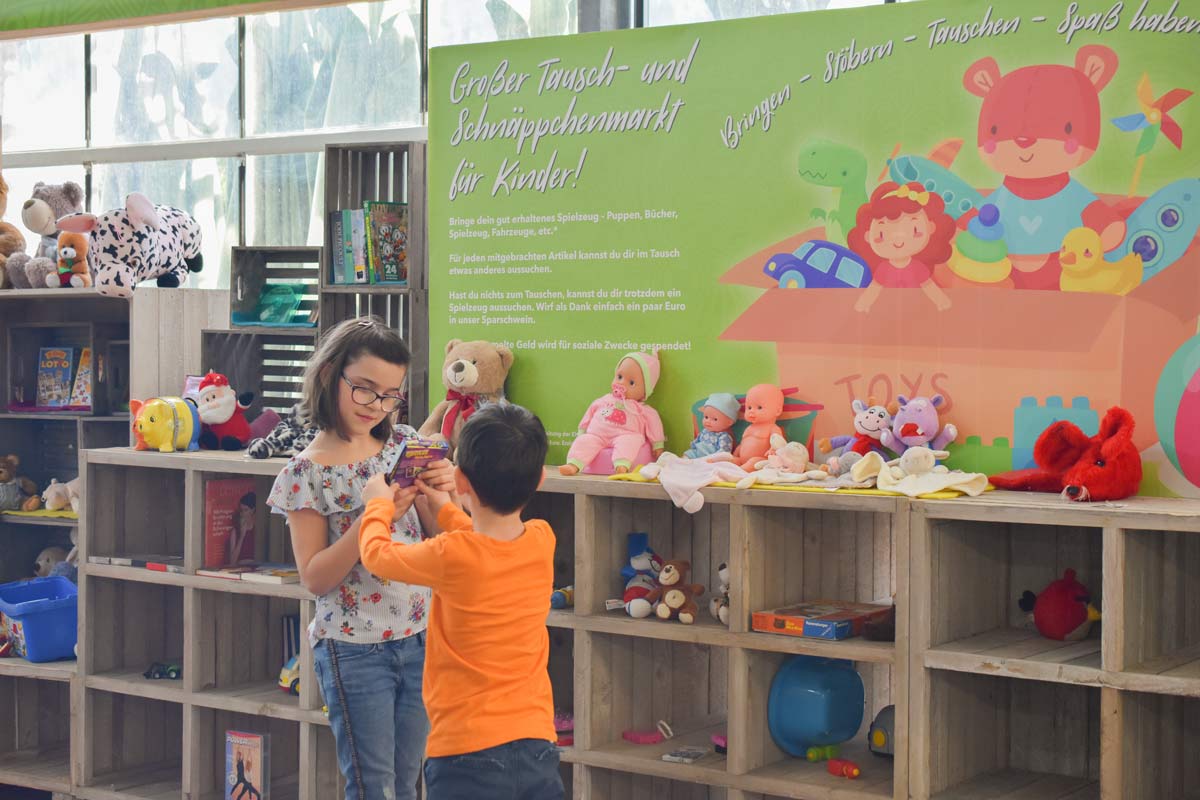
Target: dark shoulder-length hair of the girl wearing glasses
(341,347)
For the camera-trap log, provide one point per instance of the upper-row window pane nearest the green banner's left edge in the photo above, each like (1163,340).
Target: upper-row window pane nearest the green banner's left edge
(334,68)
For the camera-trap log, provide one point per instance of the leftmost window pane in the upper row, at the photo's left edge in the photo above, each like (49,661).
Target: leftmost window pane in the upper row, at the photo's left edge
(43,74)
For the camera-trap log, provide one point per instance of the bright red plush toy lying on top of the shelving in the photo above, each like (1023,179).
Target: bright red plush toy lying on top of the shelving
(1105,467)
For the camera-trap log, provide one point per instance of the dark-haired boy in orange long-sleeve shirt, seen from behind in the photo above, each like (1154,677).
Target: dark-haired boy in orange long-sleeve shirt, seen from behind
(487,688)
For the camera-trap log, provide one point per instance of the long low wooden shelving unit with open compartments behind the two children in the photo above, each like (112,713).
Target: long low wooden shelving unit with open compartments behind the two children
(985,708)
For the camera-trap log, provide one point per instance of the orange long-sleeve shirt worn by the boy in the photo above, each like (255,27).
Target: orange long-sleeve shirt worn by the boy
(487,648)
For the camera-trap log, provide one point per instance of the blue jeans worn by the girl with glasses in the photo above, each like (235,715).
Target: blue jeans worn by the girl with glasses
(374,694)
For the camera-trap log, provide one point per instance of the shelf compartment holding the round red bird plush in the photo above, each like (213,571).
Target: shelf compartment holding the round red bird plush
(979,573)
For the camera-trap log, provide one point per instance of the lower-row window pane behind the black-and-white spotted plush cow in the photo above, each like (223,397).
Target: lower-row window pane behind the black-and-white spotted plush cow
(206,188)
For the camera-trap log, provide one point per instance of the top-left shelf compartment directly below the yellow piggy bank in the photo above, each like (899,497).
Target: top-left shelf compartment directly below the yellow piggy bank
(142,513)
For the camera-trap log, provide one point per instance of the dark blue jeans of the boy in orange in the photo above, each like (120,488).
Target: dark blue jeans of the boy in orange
(526,769)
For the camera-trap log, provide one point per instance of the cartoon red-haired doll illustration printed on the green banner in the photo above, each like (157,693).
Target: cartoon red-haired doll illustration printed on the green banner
(903,233)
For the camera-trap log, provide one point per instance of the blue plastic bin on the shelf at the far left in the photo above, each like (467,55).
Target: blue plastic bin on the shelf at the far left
(41,617)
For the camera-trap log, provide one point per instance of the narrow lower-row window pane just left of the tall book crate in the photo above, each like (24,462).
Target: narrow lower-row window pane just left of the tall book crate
(285,200)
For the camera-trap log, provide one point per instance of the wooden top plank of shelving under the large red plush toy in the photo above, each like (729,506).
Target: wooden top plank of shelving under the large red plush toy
(1033,508)
